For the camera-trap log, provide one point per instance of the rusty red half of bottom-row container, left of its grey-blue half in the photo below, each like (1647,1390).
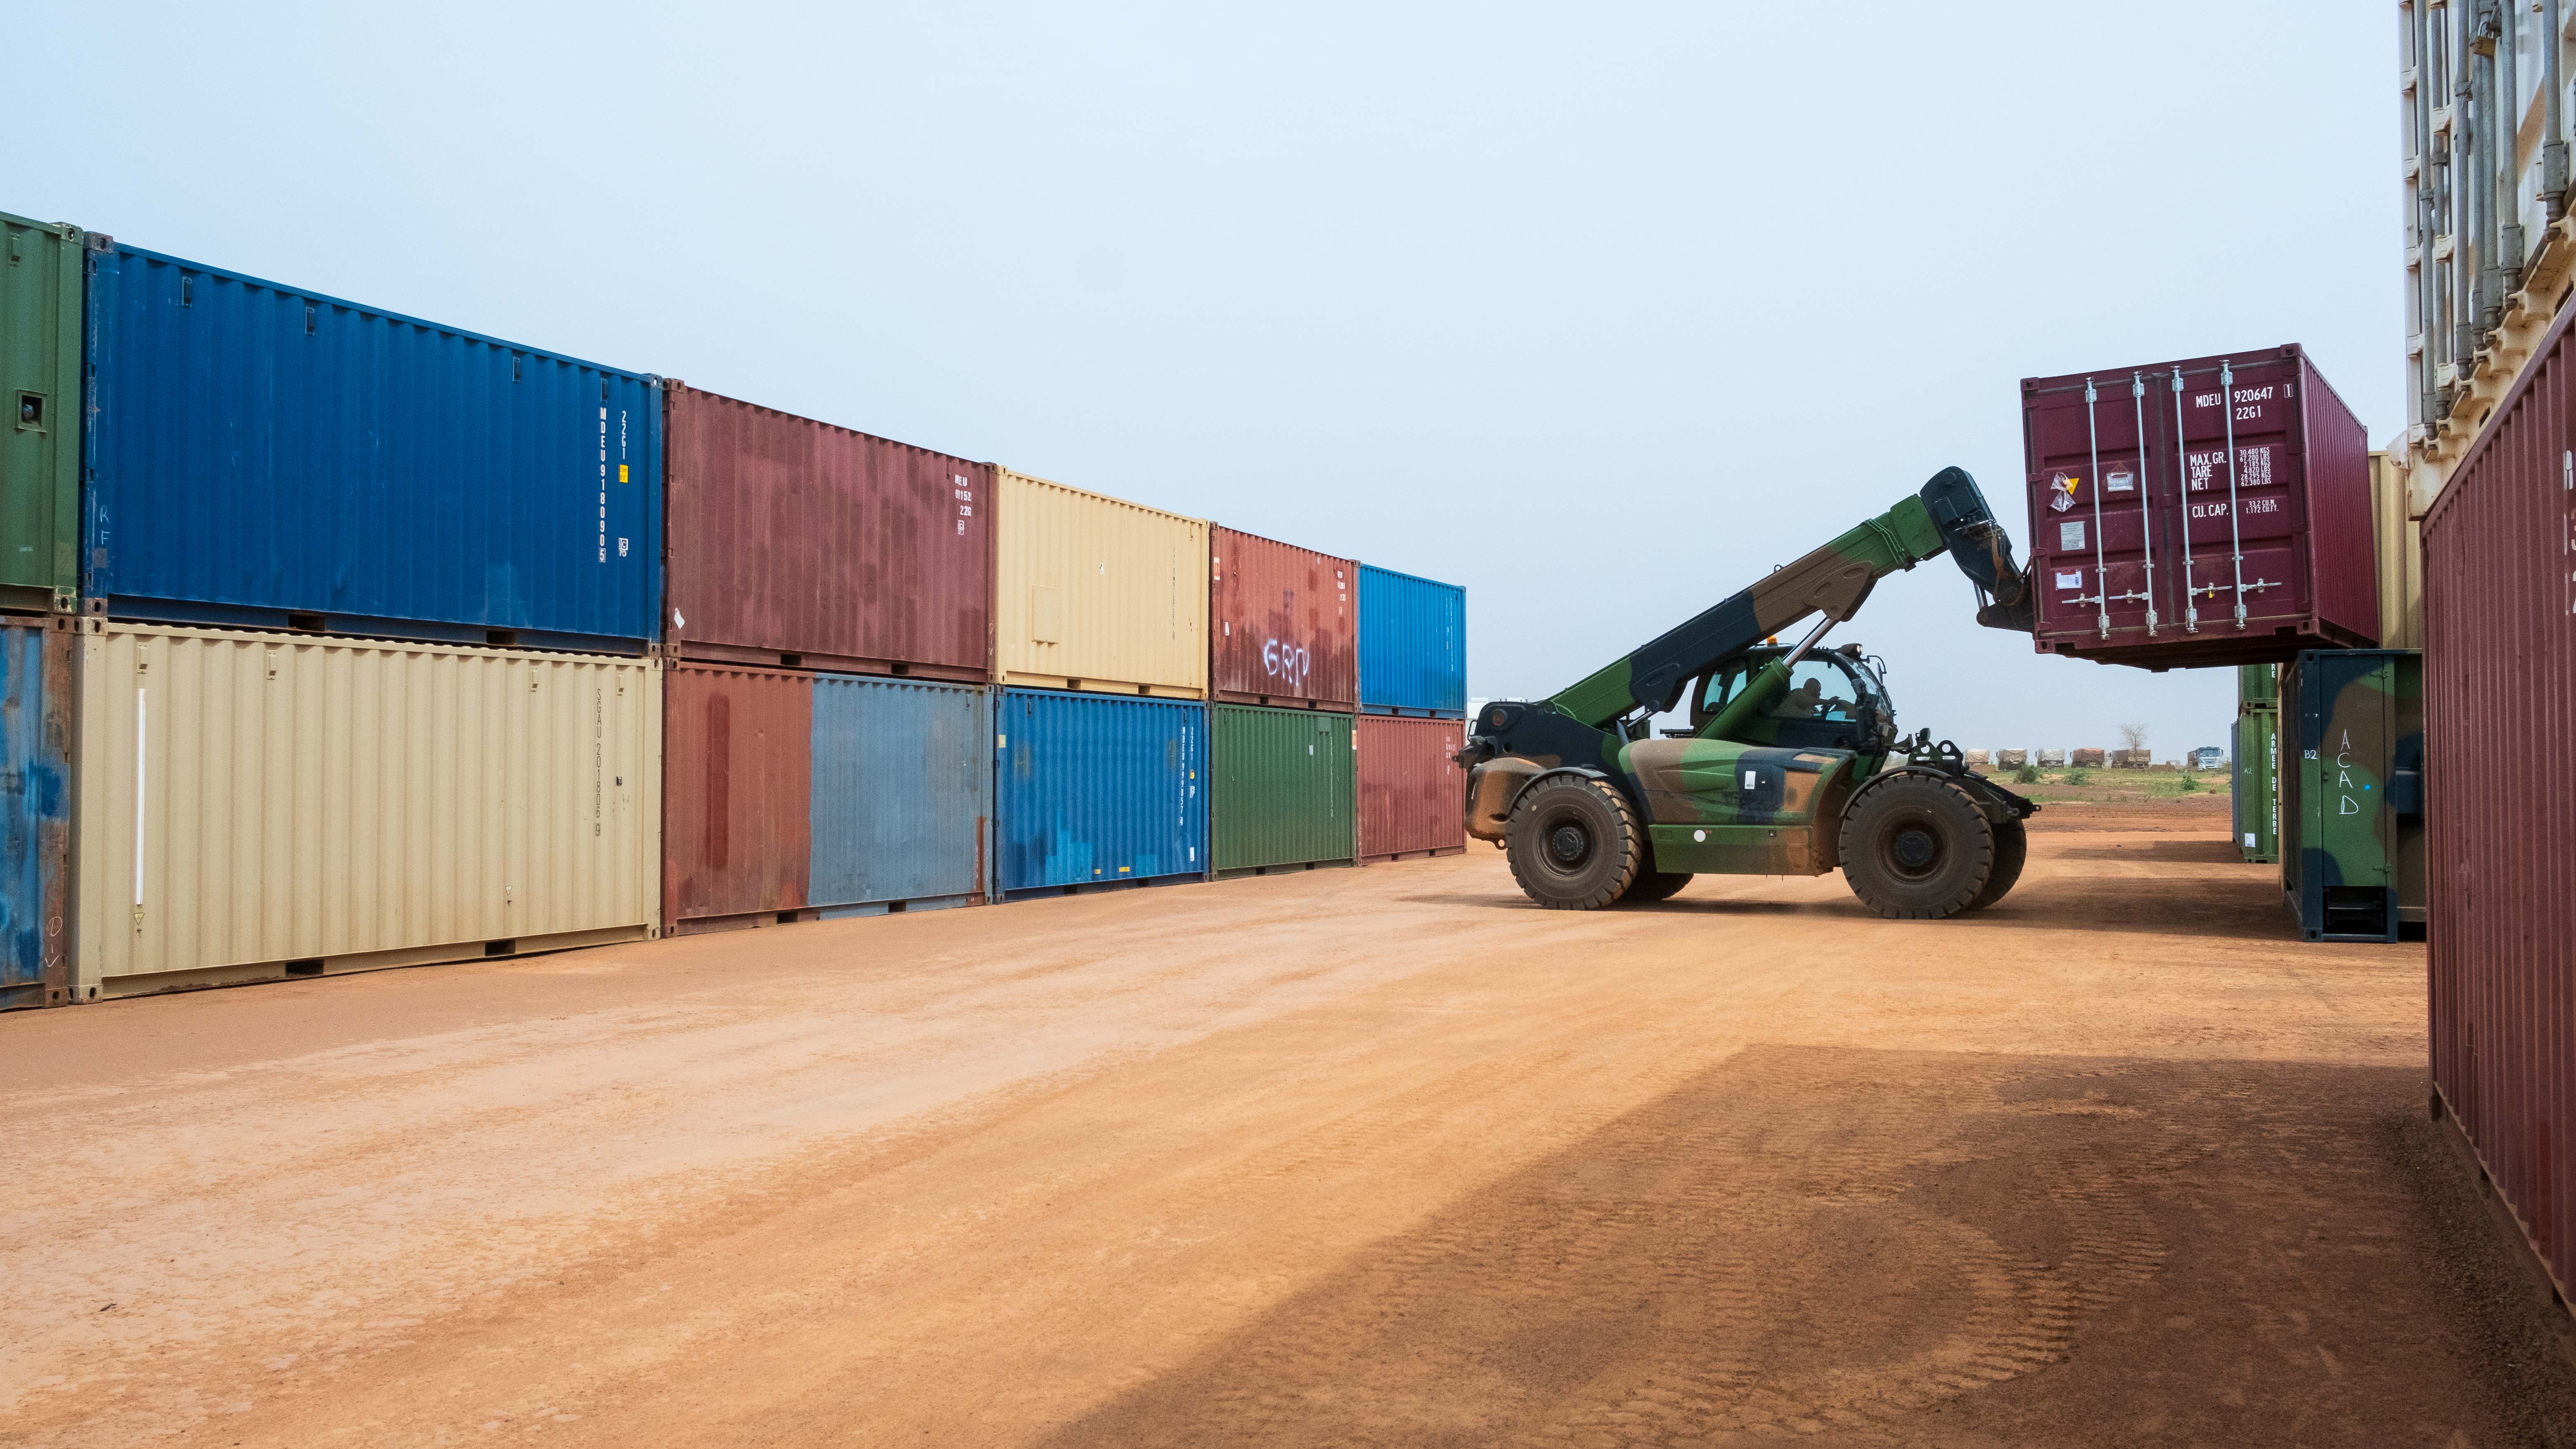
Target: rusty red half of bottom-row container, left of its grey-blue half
(738,777)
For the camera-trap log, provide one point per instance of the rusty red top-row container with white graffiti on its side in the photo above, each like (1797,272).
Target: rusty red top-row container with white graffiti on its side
(1282,625)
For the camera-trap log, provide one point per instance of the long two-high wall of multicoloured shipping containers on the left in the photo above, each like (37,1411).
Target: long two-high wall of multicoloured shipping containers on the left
(383,643)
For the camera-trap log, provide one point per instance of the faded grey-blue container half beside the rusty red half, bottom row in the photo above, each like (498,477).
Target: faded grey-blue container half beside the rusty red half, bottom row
(900,793)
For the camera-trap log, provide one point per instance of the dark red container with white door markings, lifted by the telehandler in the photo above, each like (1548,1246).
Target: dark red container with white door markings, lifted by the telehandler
(2206,512)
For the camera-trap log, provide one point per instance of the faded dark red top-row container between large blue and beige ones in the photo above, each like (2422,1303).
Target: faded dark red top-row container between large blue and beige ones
(795,543)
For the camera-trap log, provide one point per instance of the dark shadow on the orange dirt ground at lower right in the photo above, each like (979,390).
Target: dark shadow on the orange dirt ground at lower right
(1913,1249)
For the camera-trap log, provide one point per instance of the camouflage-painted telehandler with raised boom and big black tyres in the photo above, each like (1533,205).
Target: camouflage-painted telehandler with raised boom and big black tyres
(1792,764)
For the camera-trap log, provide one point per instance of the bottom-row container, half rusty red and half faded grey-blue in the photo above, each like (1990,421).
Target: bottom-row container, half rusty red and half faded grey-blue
(795,795)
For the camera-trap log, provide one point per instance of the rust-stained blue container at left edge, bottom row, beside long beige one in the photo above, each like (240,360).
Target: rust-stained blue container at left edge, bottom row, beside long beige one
(35,813)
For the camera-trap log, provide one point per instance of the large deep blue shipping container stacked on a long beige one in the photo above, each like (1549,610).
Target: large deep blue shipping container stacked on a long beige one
(261,458)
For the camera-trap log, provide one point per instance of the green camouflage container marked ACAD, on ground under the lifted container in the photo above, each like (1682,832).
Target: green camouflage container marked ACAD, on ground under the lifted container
(2353,801)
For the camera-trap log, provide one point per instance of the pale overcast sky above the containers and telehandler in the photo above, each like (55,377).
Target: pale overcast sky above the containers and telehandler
(1598,313)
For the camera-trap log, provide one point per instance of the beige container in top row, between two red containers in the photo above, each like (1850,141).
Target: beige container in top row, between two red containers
(1099,594)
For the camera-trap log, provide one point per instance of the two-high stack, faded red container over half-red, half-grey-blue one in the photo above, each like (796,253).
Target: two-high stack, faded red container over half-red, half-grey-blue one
(808,548)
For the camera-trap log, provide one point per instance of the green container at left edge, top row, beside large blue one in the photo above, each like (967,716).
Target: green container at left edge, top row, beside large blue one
(40,380)
